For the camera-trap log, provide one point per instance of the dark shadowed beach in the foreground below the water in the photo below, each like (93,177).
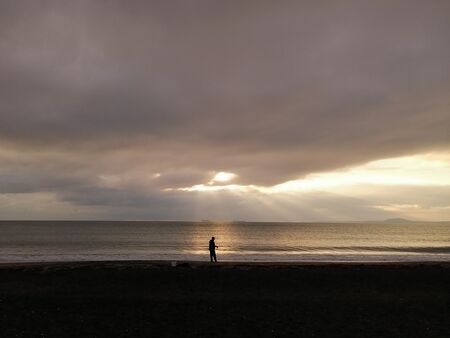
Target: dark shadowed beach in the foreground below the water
(195,299)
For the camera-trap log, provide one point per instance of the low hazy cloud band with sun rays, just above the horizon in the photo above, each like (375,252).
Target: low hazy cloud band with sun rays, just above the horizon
(372,203)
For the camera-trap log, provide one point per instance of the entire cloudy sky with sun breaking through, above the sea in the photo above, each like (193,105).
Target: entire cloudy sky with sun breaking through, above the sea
(225,110)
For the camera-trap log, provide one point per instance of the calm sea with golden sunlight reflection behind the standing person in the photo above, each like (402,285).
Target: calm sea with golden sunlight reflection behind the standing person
(31,241)
